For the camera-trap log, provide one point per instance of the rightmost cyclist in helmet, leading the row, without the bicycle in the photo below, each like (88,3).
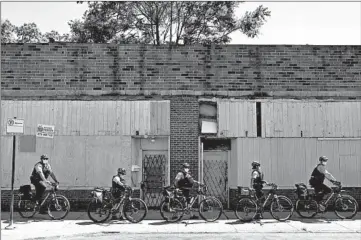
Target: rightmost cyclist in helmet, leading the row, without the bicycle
(318,176)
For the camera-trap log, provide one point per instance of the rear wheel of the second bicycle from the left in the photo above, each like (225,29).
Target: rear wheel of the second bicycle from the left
(98,211)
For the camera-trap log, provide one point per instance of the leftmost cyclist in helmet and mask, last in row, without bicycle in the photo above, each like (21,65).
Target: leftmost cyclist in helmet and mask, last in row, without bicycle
(41,171)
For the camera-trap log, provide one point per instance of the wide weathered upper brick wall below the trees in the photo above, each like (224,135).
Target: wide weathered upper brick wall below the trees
(233,70)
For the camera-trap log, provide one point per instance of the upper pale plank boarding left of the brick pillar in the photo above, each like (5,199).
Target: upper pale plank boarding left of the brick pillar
(89,118)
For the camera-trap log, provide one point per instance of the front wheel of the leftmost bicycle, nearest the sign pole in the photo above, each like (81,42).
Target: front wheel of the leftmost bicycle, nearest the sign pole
(58,207)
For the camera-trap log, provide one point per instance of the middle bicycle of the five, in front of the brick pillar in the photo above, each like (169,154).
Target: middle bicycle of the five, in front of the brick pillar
(176,204)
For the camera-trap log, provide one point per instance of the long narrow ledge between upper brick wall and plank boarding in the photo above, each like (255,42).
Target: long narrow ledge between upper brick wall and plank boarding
(83,94)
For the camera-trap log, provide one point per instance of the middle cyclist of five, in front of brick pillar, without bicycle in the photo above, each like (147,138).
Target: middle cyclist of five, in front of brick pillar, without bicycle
(184,181)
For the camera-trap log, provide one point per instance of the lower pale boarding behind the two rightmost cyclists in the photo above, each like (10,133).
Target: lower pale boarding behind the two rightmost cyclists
(286,161)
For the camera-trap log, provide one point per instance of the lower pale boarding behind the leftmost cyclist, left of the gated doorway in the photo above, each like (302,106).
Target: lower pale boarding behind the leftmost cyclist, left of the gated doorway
(78,161)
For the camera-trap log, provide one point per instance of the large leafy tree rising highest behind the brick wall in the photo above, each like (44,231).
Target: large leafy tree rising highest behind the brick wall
(161,22)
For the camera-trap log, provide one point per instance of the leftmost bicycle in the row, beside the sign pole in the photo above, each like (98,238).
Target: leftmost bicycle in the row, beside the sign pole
(27,207)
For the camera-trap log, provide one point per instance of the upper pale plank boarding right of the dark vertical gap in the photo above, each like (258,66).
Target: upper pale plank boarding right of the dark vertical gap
(311,119)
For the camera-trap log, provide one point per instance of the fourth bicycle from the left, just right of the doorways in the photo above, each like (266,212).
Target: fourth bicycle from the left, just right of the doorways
(251,205)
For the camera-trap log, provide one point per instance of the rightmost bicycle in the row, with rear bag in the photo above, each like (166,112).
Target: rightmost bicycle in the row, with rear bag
(308,207)
